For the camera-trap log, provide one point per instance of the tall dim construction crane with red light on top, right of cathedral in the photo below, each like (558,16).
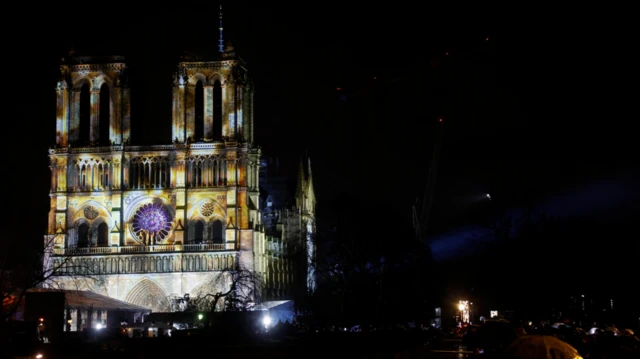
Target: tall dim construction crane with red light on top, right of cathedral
(421,218)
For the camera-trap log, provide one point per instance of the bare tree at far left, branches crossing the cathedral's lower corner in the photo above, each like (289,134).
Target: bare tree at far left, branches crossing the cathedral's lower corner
(24,270)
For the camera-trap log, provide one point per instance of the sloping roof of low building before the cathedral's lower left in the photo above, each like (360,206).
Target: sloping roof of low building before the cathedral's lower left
(83,299)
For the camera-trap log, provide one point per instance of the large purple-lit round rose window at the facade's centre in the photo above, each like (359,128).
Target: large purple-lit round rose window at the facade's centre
(152,221)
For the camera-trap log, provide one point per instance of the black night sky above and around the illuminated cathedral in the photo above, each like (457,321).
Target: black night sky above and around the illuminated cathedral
(540,107)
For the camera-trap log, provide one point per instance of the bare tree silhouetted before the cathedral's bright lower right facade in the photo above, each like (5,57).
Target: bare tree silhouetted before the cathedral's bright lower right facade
(236,289)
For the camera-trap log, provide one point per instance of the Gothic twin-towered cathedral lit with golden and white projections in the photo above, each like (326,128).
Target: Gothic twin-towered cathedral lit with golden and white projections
(150,224)
